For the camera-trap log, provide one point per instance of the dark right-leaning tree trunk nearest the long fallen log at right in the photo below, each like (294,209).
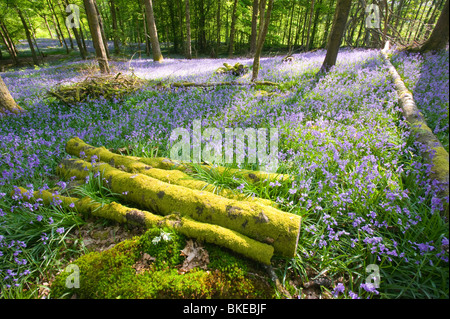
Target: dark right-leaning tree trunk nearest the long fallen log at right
(337,31)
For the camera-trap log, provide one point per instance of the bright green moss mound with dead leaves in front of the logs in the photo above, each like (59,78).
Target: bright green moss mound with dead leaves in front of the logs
(113,273)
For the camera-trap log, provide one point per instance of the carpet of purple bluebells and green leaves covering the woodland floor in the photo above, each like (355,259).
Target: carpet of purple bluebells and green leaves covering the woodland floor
(360,183)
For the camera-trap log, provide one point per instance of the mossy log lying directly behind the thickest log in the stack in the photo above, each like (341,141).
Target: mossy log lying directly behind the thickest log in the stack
(132,165)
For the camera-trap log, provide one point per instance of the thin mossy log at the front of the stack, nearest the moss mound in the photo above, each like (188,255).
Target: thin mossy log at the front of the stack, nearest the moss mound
(190,228)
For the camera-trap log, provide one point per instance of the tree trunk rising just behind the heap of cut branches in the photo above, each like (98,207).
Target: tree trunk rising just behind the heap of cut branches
(96,35)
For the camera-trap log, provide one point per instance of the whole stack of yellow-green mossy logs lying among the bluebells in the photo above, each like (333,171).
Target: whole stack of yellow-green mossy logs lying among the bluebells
(169,197)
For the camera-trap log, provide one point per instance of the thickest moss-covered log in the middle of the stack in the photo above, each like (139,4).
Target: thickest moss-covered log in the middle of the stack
(262,223)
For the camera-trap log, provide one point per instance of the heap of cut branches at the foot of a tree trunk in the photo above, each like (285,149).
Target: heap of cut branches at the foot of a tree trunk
(95,87)
